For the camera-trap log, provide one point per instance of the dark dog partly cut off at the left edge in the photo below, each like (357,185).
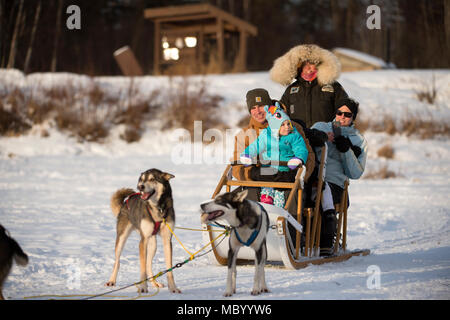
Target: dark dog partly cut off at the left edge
(9,250)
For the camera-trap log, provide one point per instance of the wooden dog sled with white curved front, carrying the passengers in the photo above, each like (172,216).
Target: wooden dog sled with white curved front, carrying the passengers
(284,243)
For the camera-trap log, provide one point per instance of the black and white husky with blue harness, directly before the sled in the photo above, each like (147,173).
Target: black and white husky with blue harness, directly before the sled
(250,223)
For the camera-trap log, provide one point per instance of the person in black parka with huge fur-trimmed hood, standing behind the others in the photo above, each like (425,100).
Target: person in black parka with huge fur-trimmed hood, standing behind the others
(315,94)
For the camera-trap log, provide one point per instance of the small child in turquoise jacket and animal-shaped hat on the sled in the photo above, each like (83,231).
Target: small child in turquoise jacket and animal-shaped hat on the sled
(280,141)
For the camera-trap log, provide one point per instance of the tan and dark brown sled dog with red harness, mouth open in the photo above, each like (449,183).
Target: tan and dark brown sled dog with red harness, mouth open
(150,212)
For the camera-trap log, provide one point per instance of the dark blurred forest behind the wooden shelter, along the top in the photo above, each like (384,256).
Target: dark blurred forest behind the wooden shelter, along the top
(34,36)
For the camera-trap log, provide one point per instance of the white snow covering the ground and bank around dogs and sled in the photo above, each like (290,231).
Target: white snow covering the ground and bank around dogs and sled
(55,194)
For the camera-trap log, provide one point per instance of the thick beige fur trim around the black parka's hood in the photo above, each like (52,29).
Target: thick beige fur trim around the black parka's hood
(284,69)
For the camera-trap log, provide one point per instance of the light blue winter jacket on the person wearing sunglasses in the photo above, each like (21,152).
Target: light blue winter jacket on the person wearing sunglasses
(341,166)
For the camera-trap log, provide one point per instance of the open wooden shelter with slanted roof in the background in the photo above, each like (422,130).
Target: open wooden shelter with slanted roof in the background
(198,38)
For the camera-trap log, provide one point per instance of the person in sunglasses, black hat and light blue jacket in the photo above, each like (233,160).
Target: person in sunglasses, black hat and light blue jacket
(346,159)
